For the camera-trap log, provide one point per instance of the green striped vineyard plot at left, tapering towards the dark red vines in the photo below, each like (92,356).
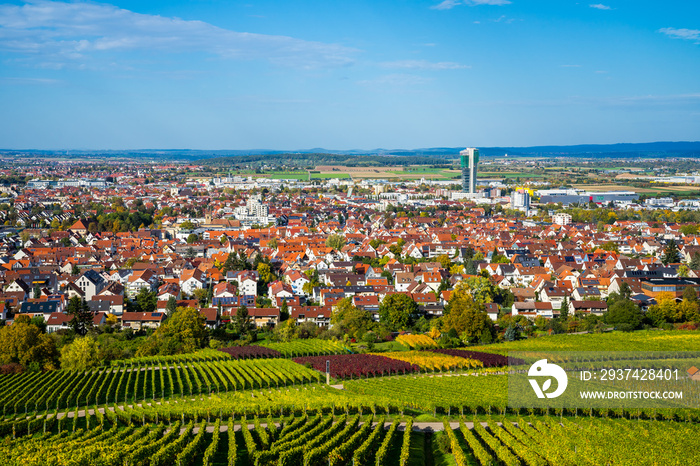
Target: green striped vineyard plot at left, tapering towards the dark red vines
(64,389)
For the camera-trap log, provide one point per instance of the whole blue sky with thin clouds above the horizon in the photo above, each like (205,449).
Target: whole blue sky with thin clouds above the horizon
(215,74)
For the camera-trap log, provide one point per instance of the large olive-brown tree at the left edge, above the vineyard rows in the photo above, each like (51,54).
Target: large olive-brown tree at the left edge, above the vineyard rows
(23,343)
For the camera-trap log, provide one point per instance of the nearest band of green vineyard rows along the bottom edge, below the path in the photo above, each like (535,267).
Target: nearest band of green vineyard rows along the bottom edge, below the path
(119,437)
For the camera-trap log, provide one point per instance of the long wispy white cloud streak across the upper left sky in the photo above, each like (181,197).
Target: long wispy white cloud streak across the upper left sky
(61,32)
